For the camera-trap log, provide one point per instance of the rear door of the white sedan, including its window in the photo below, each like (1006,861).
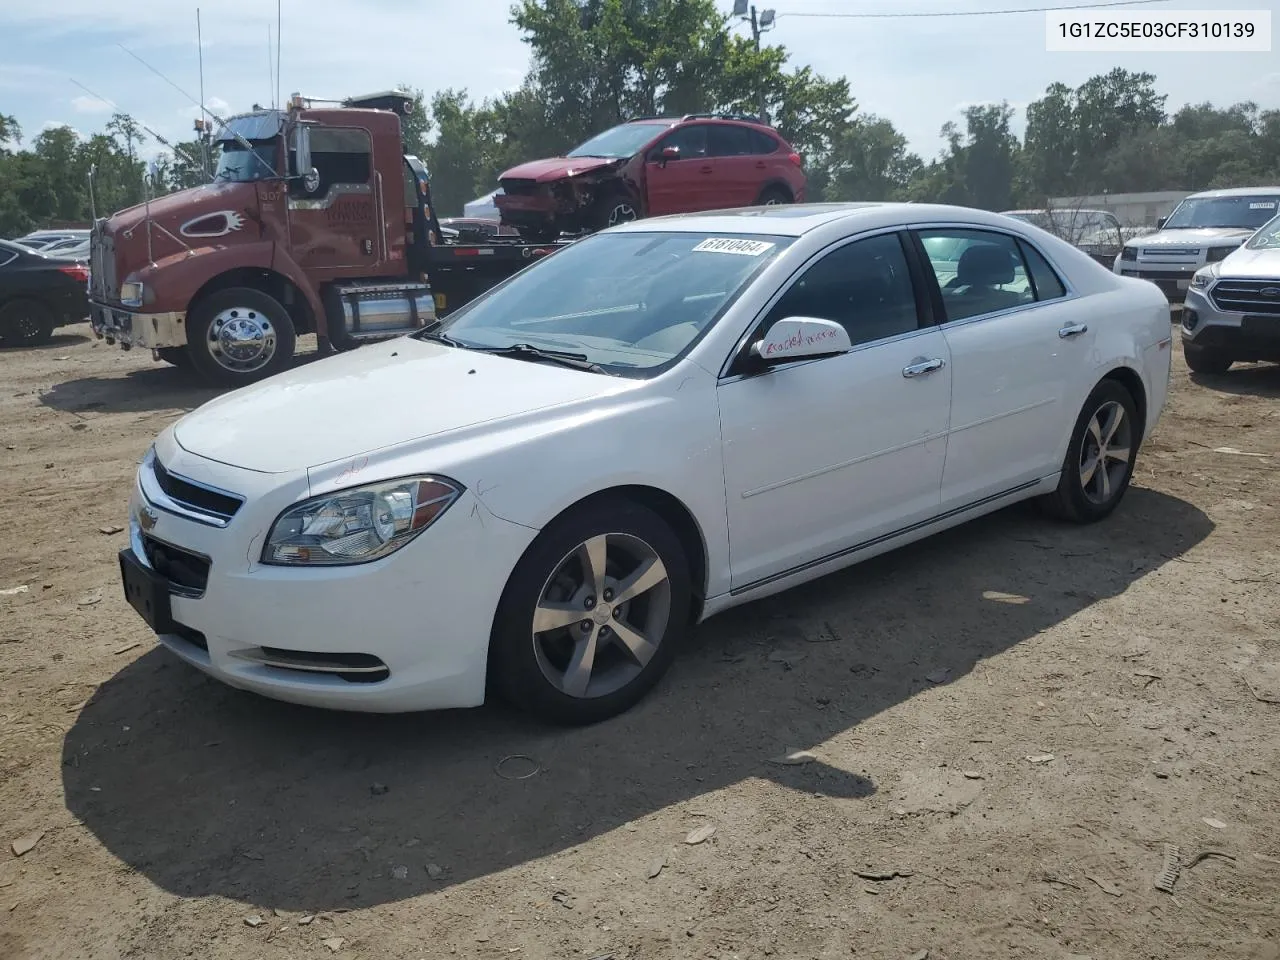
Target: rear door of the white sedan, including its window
(1017,348)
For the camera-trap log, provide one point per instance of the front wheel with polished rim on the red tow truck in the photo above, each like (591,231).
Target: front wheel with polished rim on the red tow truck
(240,336)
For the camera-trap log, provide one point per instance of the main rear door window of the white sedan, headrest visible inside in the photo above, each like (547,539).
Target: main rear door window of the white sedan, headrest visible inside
(979,272)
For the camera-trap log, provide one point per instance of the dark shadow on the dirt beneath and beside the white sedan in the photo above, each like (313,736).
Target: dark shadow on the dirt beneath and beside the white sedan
(209,792)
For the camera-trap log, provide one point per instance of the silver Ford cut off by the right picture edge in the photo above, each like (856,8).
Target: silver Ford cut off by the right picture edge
(1233,308)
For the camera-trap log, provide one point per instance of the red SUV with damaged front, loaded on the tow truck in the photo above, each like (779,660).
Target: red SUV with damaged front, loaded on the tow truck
(651,167)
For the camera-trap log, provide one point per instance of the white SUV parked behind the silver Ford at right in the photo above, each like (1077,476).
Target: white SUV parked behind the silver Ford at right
(1205,228)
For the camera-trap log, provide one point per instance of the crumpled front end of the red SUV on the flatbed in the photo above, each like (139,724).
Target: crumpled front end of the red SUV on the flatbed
(568,195)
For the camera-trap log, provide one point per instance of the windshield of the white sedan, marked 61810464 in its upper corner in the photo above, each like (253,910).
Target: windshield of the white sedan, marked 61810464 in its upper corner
(630,303)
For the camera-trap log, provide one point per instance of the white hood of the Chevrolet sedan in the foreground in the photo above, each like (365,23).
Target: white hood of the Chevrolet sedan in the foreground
(377,397)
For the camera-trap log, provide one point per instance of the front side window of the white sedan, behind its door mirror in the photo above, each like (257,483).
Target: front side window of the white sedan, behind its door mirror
(865,286)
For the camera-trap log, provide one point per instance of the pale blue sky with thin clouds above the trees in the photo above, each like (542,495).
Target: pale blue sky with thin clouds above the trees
(917,72)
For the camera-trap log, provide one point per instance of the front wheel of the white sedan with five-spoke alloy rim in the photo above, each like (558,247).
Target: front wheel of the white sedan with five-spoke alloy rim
(592,615)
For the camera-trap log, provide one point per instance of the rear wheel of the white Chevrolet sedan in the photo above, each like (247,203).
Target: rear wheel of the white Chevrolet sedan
(1100,458)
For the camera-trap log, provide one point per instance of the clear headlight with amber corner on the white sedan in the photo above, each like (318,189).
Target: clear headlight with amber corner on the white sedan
(359,525)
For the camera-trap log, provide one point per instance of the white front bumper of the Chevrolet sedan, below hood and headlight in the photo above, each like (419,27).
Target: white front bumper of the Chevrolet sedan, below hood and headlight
(426,612)
